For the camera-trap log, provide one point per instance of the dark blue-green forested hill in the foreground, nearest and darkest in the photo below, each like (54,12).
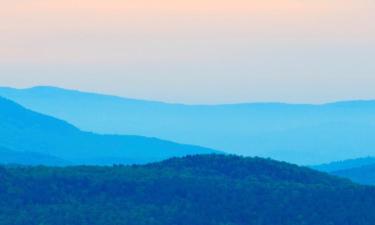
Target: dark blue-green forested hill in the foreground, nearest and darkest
(206,189)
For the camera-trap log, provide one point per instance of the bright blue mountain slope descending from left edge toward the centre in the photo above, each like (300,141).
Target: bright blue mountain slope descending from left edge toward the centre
(27,131)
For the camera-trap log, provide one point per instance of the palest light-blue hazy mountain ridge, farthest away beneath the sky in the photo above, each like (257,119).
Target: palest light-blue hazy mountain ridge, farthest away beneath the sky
(305,134)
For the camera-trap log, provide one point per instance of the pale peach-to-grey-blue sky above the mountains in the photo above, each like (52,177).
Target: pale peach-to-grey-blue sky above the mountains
(193,51)
